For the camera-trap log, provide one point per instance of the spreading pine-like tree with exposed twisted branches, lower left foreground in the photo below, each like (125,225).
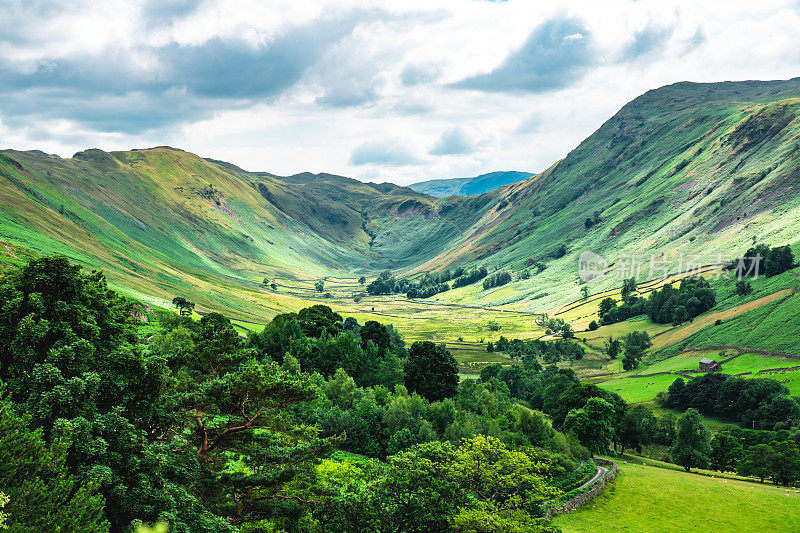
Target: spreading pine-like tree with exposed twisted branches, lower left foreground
(233,405)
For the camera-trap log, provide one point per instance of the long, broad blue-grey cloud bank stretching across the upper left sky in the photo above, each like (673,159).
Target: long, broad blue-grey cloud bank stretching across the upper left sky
(111,92)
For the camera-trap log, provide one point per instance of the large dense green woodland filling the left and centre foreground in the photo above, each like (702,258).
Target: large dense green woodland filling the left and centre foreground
(210,432)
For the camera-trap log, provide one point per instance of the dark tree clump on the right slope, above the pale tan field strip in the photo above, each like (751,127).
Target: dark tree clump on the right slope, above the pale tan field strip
(668,305)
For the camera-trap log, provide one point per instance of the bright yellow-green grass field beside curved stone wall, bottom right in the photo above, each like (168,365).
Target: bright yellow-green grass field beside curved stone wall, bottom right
(646,499)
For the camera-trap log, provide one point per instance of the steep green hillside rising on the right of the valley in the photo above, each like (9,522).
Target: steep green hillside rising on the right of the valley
(682,170)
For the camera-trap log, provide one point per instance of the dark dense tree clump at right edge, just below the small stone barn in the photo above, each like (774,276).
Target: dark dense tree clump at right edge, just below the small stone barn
(755,403)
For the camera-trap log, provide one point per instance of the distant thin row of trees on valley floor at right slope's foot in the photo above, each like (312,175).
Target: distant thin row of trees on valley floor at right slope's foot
(428,285)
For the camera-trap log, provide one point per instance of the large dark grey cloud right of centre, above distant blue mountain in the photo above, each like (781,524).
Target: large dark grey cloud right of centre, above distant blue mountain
(555,55)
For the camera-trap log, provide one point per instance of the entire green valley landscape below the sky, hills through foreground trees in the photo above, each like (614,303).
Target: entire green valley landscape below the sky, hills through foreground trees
(304,334)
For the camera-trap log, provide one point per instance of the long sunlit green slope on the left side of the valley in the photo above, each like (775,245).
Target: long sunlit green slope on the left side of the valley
(168,220)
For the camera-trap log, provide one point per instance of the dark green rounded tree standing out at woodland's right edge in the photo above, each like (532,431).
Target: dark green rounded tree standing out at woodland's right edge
(432,371)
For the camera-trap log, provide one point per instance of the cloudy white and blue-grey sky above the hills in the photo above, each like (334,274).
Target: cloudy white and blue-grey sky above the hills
(399,91)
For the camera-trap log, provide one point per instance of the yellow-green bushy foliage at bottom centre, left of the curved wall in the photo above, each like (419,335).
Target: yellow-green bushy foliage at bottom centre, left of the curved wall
(481,485)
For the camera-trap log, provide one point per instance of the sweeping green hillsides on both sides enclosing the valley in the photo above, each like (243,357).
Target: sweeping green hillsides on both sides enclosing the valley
(682,170)
